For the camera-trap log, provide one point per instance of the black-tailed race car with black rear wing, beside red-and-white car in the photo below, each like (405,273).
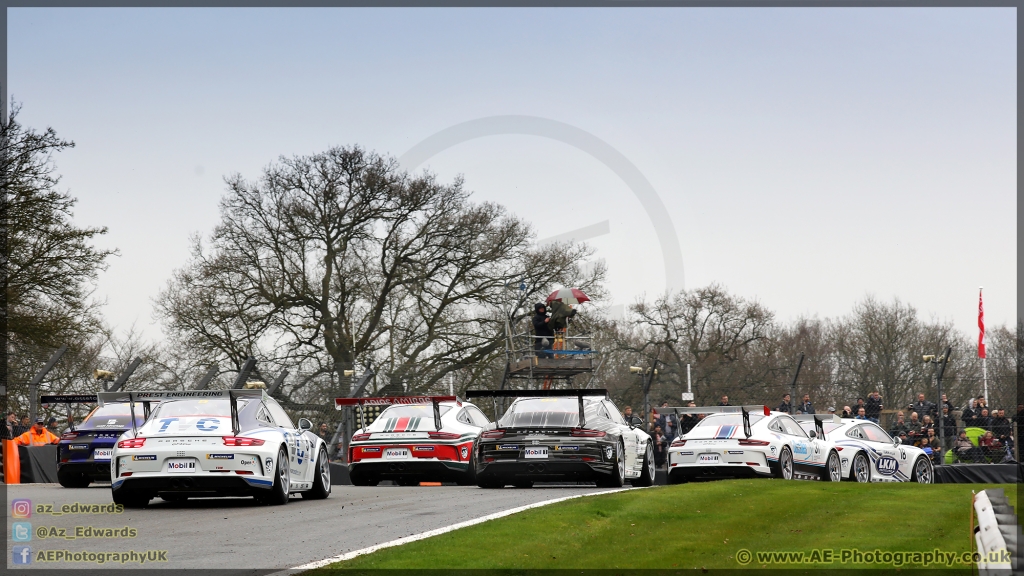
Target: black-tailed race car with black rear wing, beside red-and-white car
(560,436)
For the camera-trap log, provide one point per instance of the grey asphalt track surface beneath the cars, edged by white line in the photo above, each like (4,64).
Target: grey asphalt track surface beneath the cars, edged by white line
(239,536)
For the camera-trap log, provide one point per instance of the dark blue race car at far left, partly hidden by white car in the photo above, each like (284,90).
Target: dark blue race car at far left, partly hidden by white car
(84,451)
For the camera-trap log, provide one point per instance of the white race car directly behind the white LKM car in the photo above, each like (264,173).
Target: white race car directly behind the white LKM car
(750,441)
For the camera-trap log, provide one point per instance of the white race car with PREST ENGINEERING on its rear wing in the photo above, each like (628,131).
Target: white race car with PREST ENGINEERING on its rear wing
(216,443)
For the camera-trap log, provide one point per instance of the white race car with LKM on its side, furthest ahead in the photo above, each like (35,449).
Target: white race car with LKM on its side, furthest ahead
(869,455)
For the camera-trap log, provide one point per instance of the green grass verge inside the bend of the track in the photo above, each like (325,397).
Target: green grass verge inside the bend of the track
(704,526)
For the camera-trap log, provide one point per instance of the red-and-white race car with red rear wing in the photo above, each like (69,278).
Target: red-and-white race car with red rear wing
(417,439)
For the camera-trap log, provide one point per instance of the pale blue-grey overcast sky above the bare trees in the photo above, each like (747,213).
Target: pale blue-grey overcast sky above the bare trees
(805,157)
